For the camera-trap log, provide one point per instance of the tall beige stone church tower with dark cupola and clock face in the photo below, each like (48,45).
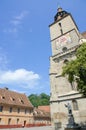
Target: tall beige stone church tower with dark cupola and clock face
(65,39)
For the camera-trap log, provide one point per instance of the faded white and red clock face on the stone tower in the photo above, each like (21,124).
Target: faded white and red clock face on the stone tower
(63,41)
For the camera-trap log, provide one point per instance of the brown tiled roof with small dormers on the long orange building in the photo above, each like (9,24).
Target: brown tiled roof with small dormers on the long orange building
(14,98)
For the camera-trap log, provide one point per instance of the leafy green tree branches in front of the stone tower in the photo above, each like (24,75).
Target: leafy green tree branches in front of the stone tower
(76,69)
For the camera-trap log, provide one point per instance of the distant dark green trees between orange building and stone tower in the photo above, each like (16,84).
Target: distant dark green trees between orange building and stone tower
(39,100)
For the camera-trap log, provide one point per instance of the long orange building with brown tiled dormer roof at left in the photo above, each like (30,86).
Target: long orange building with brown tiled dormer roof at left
(15,109)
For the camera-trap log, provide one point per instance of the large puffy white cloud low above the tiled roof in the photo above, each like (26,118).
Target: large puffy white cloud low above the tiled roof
(21,77)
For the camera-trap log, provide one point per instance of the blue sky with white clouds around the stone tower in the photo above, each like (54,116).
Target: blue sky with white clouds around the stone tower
(25,45)
